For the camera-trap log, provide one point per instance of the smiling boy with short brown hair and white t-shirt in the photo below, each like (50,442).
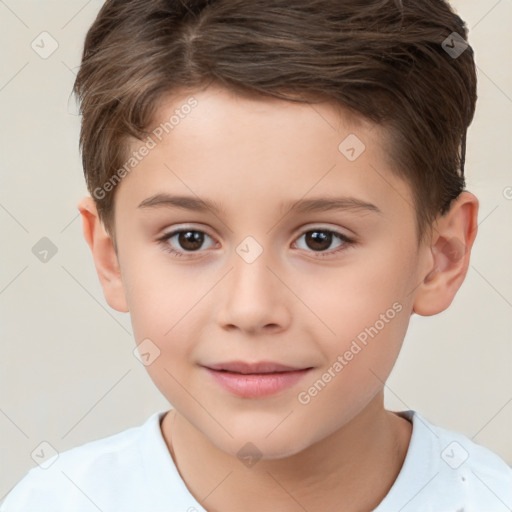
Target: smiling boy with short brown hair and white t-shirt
(224,144)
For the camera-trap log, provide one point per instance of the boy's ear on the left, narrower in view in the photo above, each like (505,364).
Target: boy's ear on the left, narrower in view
(104,255)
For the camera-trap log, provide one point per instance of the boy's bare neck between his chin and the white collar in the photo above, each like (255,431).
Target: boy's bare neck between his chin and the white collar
(351,469)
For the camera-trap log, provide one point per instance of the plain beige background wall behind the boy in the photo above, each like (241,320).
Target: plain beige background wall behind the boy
(67,371)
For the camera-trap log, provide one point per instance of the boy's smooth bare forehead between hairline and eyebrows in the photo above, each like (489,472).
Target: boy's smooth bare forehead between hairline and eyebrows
(236,150)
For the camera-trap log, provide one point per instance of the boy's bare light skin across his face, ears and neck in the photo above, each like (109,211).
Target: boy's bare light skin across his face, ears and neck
(342,450)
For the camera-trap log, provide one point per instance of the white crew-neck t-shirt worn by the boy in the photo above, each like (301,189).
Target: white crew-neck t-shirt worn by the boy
(133,471)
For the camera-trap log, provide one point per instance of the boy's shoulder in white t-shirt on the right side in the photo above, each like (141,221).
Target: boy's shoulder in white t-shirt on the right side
(449,471)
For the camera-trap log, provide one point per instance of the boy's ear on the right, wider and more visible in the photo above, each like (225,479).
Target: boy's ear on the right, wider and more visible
(448,258)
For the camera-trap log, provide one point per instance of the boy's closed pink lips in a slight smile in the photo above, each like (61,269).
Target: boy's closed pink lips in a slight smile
(255,380)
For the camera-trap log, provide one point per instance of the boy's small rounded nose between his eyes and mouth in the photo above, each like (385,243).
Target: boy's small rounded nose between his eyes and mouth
(253,297)
